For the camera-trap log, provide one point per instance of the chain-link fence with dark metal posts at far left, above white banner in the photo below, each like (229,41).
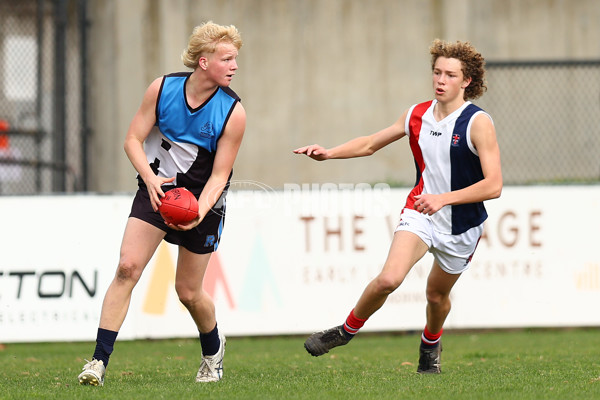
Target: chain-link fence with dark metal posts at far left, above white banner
(42,129)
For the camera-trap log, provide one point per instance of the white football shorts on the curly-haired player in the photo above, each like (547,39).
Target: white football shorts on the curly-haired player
(452,252)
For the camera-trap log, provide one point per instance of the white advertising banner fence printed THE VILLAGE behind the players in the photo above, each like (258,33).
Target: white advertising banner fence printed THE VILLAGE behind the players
(296,261)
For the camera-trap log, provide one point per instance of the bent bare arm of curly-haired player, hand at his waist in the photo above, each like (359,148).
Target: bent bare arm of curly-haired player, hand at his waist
(483,136)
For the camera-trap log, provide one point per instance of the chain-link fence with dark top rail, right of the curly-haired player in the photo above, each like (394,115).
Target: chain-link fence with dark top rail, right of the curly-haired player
(547,116)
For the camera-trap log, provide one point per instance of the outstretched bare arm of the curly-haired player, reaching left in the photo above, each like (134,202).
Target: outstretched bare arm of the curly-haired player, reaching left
(359,147)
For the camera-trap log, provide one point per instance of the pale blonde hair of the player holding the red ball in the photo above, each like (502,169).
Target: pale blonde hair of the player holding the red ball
(205,38)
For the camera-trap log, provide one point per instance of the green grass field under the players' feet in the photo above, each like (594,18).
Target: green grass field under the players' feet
(524,364)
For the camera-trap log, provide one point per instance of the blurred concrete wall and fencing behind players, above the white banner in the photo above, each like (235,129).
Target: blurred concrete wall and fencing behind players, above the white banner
(73,72)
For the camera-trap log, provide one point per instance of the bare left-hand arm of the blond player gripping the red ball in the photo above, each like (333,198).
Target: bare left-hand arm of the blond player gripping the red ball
(139,129)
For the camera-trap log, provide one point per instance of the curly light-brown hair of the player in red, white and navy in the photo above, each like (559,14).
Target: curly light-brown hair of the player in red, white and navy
(473,64)
